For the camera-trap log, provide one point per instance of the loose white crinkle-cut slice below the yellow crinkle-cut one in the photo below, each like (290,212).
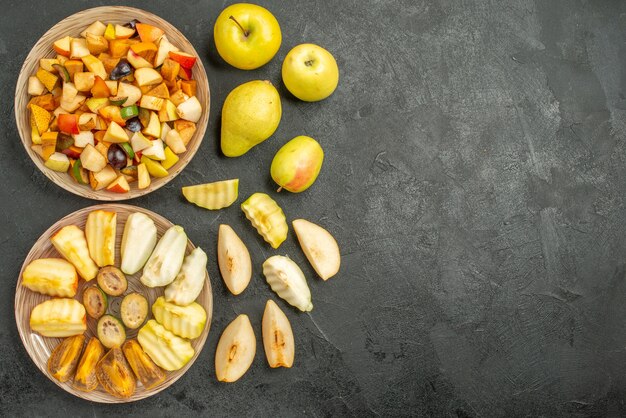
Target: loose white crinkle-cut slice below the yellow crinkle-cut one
(287,280)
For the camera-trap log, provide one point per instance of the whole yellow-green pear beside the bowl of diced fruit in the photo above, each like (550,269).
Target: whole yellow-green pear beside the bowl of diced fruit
(251,113)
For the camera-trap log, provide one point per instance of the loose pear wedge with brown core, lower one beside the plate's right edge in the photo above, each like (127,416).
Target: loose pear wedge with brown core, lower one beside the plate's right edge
(235,350)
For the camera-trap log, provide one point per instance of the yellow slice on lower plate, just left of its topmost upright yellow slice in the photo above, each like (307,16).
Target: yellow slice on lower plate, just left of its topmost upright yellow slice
(70,242)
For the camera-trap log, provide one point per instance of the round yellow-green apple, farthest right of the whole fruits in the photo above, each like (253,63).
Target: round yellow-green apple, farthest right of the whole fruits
(310,72)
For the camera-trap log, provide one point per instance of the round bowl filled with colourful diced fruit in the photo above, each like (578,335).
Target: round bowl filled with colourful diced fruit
(112,103)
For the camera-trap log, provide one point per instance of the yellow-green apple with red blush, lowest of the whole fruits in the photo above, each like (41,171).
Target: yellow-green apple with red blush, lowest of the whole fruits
(297,164)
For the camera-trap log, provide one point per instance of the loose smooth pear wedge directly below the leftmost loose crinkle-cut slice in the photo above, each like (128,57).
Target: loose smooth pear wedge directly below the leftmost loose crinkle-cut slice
(234,260)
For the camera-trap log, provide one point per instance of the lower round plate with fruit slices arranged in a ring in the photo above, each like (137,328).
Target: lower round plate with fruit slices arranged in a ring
(114,303)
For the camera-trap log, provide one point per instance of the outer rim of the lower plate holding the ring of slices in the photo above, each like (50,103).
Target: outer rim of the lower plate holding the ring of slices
(42,239)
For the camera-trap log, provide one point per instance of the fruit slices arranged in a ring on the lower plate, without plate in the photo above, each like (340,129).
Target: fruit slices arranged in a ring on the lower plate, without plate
(111,359)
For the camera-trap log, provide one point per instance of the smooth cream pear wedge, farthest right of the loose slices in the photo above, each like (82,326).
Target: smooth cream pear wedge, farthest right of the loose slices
(319,246)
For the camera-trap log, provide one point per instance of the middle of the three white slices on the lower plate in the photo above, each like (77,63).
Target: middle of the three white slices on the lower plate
(166,259)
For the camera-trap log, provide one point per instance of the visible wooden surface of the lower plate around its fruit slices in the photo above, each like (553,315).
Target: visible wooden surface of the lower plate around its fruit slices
(39,347)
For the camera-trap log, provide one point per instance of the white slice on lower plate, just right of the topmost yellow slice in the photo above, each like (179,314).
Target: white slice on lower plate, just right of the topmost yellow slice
(138,241)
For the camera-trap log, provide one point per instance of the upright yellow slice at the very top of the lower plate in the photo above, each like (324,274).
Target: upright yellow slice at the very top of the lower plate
(100,232)
